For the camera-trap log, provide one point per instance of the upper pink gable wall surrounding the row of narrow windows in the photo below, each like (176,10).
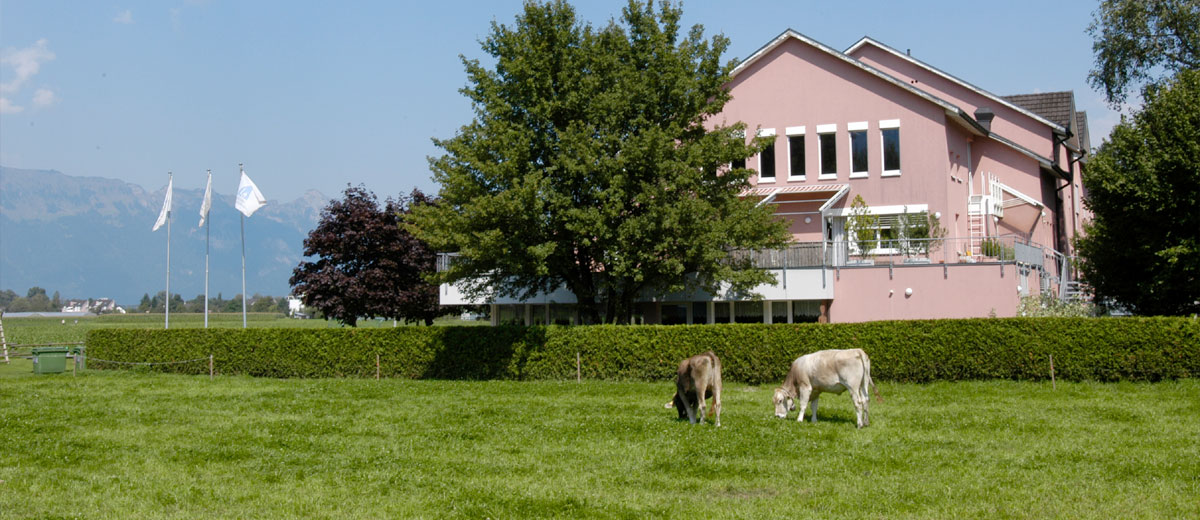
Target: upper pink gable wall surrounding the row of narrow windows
(796,85)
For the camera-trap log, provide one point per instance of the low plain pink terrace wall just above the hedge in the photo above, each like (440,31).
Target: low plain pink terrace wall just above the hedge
(970,291)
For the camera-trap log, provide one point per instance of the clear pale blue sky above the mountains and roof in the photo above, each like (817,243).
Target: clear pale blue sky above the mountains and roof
(315,95)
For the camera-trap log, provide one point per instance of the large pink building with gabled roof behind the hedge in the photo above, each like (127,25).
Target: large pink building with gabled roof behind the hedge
(999,175)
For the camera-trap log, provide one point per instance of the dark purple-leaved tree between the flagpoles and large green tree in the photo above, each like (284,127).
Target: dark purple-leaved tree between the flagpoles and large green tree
(367,265)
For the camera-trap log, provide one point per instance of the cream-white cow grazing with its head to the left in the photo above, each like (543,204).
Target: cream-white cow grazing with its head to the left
(835,372)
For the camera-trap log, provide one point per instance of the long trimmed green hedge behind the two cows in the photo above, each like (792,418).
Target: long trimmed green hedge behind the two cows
(917,351)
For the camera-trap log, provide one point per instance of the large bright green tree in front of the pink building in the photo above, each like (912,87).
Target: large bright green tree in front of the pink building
(595,164)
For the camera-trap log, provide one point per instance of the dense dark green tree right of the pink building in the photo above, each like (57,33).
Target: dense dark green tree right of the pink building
(1142,249)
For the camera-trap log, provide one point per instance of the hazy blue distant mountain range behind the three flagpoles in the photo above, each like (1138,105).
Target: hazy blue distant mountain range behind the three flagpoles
(89,237)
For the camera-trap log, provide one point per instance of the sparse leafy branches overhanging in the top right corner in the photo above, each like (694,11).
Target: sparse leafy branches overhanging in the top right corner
(1139,41)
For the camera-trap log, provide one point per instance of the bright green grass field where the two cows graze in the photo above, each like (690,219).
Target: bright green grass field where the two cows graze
(136,445)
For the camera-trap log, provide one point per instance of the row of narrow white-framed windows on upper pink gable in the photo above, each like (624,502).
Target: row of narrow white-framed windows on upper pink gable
(827,152)
